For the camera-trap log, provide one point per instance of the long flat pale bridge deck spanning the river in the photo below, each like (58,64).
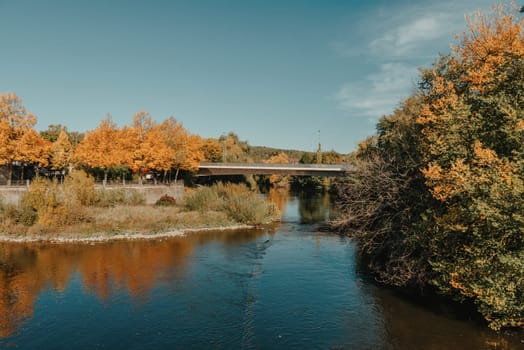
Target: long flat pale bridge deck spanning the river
(327,170)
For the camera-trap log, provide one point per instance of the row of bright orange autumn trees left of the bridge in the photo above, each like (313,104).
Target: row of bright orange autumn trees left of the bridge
(140,147)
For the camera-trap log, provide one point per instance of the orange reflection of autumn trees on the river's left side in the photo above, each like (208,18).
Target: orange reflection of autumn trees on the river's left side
(134,267)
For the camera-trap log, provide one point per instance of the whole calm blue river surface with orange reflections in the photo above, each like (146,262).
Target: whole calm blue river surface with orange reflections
(289,286)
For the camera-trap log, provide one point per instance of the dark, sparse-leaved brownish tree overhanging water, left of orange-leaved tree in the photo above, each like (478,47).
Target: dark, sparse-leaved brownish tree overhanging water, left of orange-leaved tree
(383,202)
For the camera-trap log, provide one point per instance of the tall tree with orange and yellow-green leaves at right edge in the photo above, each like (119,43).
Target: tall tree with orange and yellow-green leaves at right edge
(473,147)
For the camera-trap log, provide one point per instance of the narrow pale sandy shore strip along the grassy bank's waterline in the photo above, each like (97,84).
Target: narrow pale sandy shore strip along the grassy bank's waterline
(108,237)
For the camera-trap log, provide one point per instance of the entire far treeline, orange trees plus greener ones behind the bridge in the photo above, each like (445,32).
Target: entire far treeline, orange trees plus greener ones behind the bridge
(162,150)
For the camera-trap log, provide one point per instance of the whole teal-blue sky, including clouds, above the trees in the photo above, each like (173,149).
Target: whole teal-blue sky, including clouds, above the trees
(274,72)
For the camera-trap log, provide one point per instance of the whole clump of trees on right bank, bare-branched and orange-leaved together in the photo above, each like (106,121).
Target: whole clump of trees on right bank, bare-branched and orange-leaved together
(438,199)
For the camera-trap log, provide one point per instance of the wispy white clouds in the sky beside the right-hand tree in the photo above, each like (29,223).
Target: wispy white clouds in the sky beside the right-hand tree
(394,41)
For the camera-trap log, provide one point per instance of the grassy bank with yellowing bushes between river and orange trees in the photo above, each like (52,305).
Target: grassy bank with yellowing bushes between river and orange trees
(76,209)
